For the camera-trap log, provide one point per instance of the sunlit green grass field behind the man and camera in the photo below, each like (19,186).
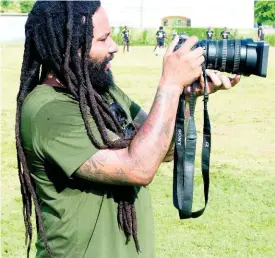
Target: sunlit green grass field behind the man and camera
(240,218)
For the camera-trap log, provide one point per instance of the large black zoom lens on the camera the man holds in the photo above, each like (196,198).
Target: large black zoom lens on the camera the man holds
(238,56)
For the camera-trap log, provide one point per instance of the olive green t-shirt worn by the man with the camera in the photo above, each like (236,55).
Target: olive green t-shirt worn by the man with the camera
(80,217)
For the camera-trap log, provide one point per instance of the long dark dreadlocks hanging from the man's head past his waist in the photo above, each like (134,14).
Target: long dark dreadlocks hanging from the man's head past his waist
(55,31)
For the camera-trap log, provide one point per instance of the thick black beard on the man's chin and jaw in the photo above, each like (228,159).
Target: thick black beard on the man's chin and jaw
(101,79)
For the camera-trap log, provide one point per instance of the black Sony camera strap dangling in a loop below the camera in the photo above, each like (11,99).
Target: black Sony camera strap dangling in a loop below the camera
(184,157)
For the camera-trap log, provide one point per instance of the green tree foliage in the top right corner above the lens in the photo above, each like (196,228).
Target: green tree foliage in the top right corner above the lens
(264,12)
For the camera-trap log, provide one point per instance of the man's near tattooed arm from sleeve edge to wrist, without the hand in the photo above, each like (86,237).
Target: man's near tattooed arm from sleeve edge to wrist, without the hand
(137,164)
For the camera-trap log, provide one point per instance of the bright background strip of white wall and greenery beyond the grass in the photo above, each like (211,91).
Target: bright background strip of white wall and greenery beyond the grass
(143,17)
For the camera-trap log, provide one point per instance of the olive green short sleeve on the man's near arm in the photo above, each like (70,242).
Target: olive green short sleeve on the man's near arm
(62,138)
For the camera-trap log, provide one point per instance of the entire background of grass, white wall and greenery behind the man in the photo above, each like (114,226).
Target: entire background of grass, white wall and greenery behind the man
(240,218)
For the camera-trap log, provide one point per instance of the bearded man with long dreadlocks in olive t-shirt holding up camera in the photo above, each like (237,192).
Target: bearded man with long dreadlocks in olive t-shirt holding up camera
(85,150)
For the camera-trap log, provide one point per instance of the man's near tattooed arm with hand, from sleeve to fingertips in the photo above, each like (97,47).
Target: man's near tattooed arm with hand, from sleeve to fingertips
(137,164)
